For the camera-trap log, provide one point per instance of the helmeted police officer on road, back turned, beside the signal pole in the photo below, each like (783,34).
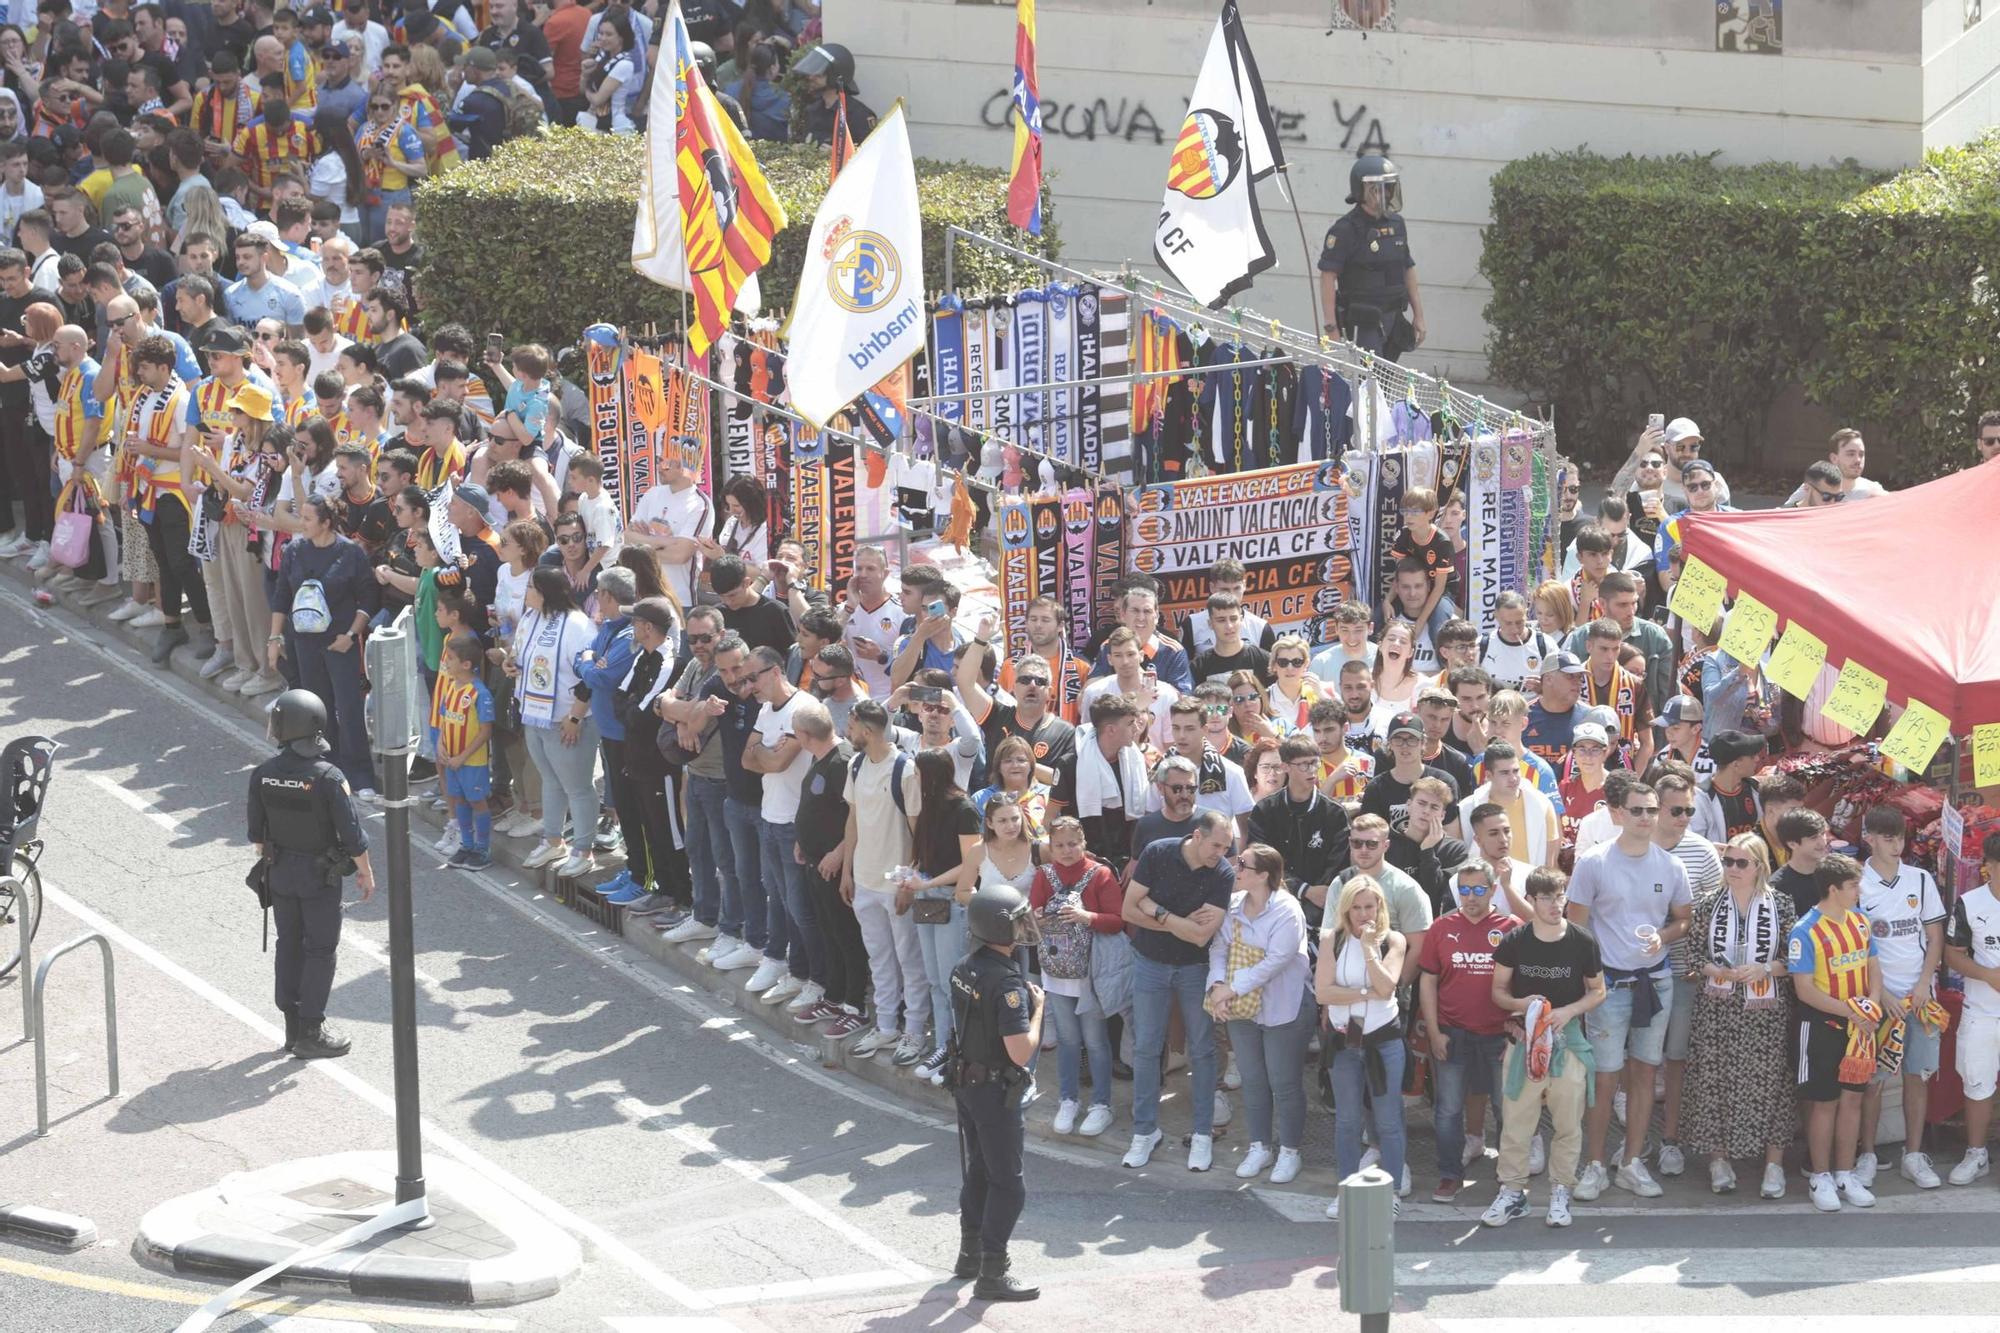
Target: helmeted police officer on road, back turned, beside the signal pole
(309,836)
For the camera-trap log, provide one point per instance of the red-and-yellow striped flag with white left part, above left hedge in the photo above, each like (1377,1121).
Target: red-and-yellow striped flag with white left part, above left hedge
(707,215)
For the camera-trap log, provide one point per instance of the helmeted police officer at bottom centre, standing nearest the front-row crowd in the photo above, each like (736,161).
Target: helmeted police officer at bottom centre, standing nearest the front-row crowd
(999,1030)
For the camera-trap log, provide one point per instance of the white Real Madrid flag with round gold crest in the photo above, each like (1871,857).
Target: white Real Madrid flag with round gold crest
(861,293)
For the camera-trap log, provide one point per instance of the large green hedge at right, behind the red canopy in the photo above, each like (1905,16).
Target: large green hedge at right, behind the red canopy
(1677,285)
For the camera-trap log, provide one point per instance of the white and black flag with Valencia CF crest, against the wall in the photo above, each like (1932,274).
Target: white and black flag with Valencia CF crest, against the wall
(1211,233)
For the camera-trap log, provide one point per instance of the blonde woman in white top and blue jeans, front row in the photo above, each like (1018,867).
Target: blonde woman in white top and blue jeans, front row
(1361,962)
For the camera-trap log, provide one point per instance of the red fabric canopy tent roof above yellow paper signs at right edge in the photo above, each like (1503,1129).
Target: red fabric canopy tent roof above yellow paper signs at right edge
(1907,583)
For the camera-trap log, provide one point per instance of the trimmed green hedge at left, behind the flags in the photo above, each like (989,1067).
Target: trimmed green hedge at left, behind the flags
(537,239)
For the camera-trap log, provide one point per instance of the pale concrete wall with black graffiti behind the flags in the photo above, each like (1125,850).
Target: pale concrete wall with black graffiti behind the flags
(1455,91)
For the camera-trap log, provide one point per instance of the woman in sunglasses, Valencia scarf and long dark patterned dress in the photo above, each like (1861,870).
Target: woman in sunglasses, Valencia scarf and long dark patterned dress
(1739,1092)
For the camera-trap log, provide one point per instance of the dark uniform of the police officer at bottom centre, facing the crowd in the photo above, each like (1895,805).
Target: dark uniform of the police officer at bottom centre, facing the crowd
(991,1002)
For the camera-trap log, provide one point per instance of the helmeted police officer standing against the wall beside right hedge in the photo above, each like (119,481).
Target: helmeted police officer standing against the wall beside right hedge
(1367,275)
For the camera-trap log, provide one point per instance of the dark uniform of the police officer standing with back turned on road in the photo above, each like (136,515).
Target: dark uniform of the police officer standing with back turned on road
(303,814)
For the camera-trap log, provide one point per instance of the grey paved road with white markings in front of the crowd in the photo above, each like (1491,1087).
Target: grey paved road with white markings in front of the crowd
(717,1182)
